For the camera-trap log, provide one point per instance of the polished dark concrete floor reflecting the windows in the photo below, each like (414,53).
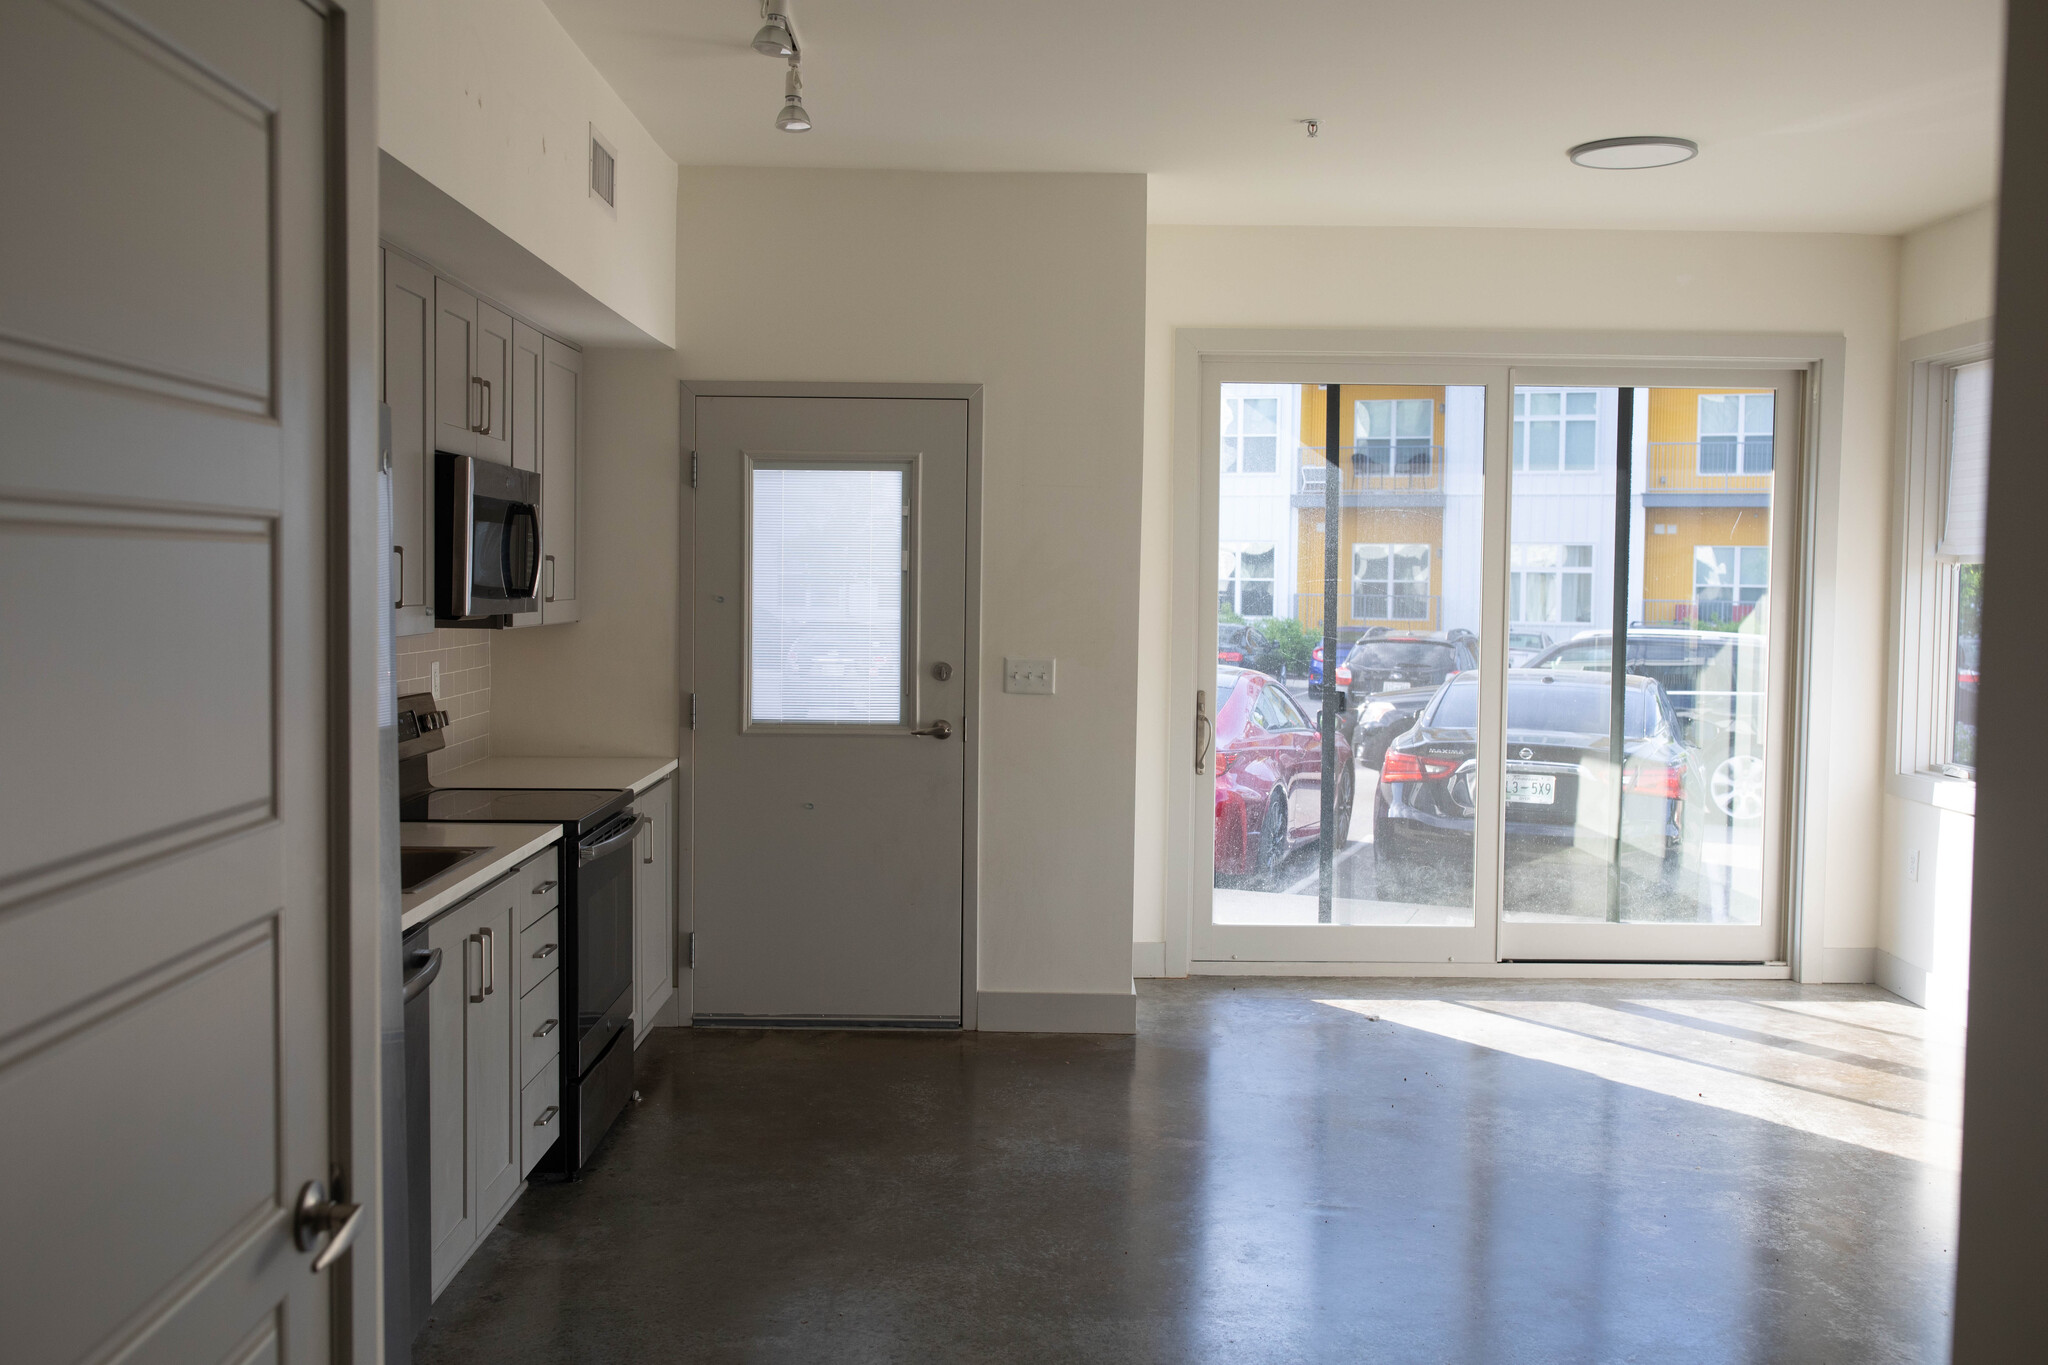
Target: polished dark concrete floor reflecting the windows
(1269,1172)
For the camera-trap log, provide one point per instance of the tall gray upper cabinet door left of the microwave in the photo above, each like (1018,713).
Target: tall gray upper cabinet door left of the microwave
(409,392)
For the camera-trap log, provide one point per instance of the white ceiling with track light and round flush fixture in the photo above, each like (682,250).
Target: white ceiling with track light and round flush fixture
(1811,116)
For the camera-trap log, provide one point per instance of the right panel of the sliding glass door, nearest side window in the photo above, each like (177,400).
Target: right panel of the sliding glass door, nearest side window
(1648,666)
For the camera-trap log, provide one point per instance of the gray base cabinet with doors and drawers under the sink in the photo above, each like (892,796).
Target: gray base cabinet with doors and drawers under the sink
(478,1082)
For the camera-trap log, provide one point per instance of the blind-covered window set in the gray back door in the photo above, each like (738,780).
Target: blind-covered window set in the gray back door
(828,592)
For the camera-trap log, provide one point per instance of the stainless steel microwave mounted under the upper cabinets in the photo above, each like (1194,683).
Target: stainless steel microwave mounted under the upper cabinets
(488,552)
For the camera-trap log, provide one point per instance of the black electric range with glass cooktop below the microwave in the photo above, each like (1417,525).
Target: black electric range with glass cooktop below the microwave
(597,920)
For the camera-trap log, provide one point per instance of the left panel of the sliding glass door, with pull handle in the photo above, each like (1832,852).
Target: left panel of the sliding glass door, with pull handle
(1351,590)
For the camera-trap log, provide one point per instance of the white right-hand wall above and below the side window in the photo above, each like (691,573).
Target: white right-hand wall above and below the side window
(1924,893)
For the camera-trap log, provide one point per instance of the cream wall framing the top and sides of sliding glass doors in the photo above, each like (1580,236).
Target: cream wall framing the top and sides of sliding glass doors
(1402,277)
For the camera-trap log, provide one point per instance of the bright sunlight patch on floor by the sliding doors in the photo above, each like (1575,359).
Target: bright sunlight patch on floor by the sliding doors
(1834,1073)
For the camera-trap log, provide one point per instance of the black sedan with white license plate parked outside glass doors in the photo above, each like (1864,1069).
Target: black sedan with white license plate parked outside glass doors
(1560,807)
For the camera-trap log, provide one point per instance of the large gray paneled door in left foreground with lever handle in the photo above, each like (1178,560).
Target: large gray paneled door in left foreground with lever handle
(165,850)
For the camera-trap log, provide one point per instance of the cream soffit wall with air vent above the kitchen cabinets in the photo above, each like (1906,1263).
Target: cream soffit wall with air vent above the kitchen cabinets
(493,103)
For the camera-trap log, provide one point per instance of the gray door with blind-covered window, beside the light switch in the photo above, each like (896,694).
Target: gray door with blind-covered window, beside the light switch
(830,709)
